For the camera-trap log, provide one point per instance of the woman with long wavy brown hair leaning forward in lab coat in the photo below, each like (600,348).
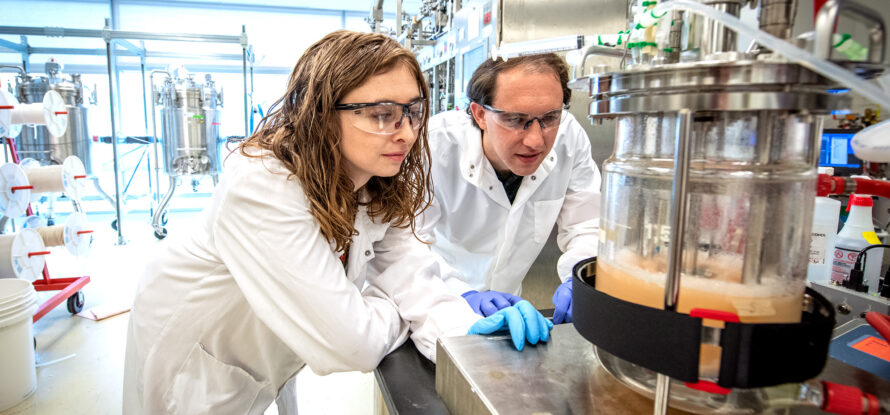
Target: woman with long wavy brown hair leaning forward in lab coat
(307,254)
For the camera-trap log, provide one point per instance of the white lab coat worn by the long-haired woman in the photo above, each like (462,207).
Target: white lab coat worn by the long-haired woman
(226,314)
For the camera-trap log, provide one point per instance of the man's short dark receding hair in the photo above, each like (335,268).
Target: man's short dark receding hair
(481,88)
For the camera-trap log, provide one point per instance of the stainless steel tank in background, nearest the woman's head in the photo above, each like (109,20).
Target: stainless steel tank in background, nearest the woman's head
(190,114)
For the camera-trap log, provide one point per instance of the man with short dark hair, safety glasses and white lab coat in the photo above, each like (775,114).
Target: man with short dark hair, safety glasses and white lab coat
(504,171)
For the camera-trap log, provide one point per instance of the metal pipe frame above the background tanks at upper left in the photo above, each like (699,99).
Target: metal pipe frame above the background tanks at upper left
(121,38)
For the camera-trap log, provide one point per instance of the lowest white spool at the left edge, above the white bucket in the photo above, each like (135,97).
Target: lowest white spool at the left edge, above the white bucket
(22,255)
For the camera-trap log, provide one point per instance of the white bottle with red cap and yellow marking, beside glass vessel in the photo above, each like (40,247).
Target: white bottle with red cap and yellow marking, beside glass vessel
(858,232)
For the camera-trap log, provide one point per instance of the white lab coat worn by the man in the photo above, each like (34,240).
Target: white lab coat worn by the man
(489,243)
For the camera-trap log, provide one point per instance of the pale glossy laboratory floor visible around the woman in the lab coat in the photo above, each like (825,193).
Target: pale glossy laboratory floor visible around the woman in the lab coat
(89,379)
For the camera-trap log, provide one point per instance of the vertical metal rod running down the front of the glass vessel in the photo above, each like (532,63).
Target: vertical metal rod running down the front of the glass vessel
(675,250)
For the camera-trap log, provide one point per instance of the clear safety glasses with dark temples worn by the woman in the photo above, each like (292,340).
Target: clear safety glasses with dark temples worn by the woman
(384,117)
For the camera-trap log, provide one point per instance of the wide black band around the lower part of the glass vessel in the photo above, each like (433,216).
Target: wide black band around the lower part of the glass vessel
(753,355)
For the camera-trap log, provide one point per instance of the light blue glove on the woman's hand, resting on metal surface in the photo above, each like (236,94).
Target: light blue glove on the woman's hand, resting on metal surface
(524,322)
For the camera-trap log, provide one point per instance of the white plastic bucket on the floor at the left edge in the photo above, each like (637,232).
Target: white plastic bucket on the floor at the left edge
(18,376)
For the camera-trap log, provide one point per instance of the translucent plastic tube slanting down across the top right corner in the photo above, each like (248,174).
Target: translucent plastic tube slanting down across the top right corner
(793,53)
